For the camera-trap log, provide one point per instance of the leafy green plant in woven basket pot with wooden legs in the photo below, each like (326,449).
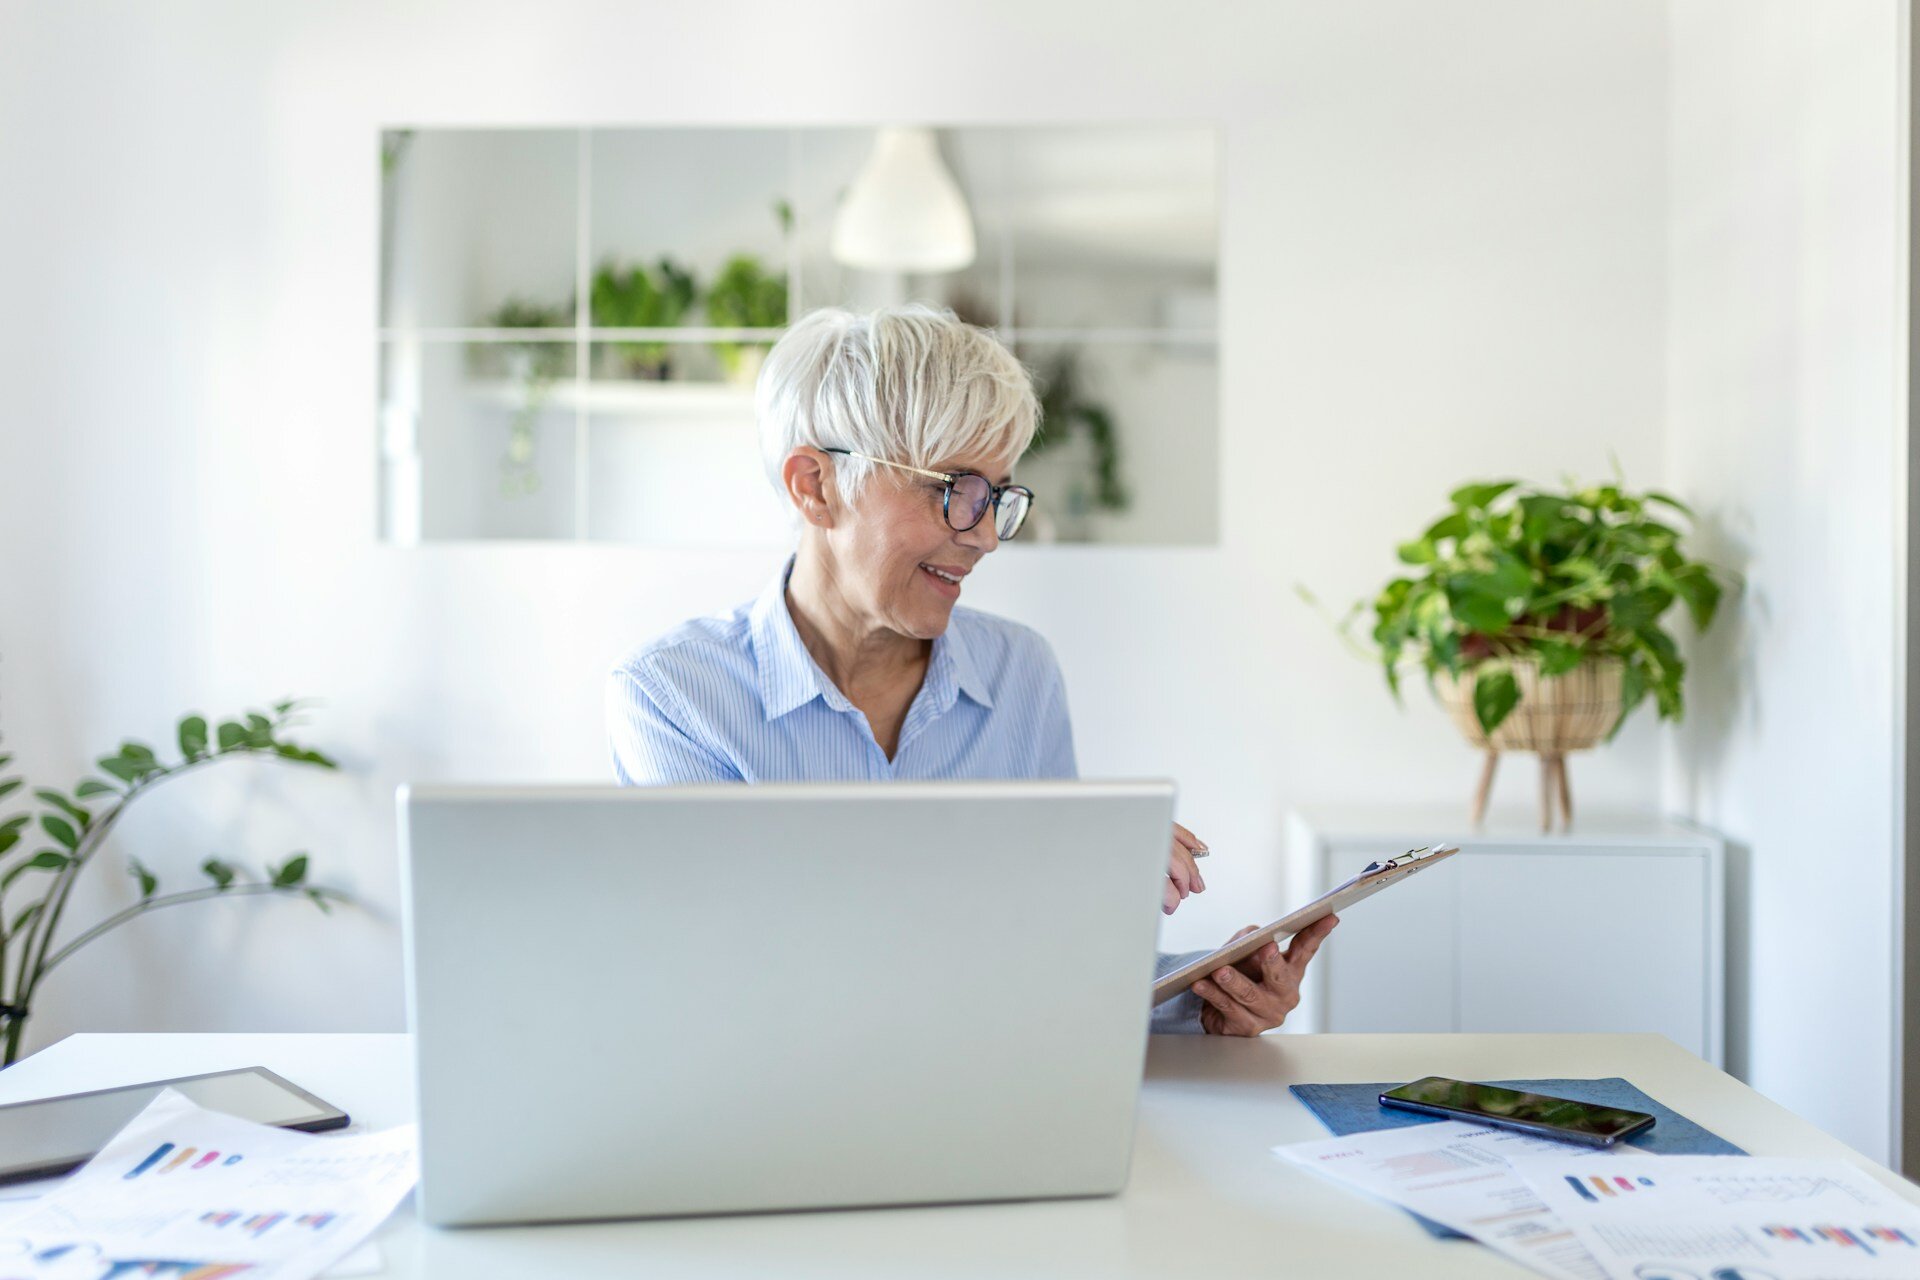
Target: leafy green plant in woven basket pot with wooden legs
(1539,617)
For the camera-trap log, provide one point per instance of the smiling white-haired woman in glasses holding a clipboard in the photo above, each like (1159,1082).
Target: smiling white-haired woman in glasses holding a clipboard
(894,437)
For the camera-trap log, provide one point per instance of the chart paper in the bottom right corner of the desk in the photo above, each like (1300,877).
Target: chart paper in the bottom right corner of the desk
(1731,1218)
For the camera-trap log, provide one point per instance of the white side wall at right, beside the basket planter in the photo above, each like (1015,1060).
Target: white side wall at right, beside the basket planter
(1785,427)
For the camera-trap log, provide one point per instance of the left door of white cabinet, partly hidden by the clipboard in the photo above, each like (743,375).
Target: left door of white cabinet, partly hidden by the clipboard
(1391,962)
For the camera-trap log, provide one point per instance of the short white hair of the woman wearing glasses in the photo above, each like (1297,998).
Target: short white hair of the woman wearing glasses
(909,385)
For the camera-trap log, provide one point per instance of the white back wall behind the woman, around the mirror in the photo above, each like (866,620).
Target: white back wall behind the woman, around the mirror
(1443,258)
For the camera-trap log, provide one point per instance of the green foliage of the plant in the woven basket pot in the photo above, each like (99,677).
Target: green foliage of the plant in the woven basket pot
(1516,573)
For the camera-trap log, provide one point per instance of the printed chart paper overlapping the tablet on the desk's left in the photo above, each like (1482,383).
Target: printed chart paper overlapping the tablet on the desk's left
(195,1195)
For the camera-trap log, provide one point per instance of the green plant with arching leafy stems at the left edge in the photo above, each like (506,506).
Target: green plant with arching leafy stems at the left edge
(37,886)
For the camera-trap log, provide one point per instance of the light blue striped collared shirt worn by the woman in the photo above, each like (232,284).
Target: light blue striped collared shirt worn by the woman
(740,699)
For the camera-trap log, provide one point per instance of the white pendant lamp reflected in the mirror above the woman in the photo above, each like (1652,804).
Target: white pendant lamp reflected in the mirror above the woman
(903,210)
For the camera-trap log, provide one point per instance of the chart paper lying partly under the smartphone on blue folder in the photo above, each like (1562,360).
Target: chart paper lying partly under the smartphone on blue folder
(1458,1175)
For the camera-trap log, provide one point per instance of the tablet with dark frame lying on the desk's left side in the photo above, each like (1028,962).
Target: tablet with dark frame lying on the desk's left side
(53,1135)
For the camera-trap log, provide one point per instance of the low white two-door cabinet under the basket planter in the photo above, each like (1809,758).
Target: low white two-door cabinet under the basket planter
(1612,928)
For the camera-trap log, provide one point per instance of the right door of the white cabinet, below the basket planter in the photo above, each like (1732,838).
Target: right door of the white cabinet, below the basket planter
(1566,941)
